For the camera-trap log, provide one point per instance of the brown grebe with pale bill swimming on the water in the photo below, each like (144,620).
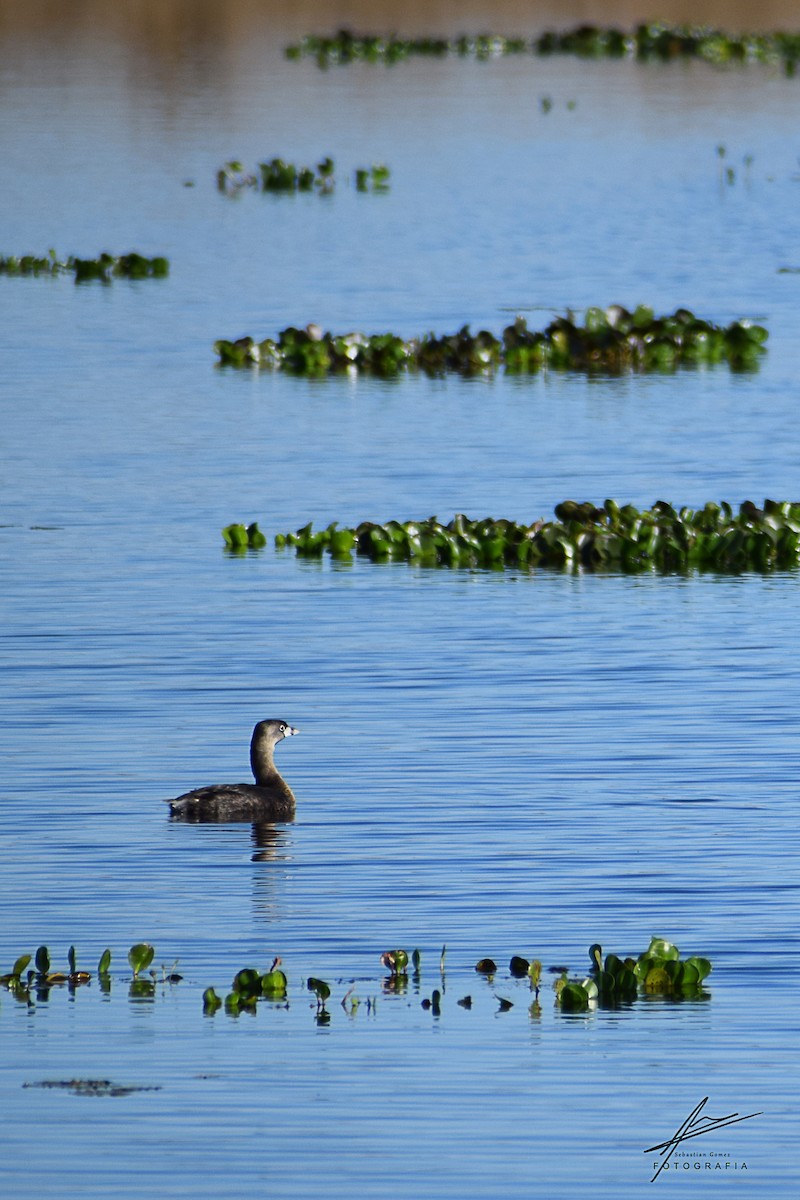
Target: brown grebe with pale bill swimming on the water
(269,799)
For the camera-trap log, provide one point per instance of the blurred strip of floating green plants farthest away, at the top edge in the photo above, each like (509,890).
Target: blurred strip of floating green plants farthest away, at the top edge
(654,41)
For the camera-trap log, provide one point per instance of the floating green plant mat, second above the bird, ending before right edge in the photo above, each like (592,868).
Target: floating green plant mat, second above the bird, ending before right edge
(611,340)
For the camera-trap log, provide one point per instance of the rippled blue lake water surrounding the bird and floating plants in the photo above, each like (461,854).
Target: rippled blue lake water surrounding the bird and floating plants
(504,764)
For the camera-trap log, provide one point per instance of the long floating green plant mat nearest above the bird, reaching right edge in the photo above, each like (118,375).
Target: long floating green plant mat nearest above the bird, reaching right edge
(582,536)
